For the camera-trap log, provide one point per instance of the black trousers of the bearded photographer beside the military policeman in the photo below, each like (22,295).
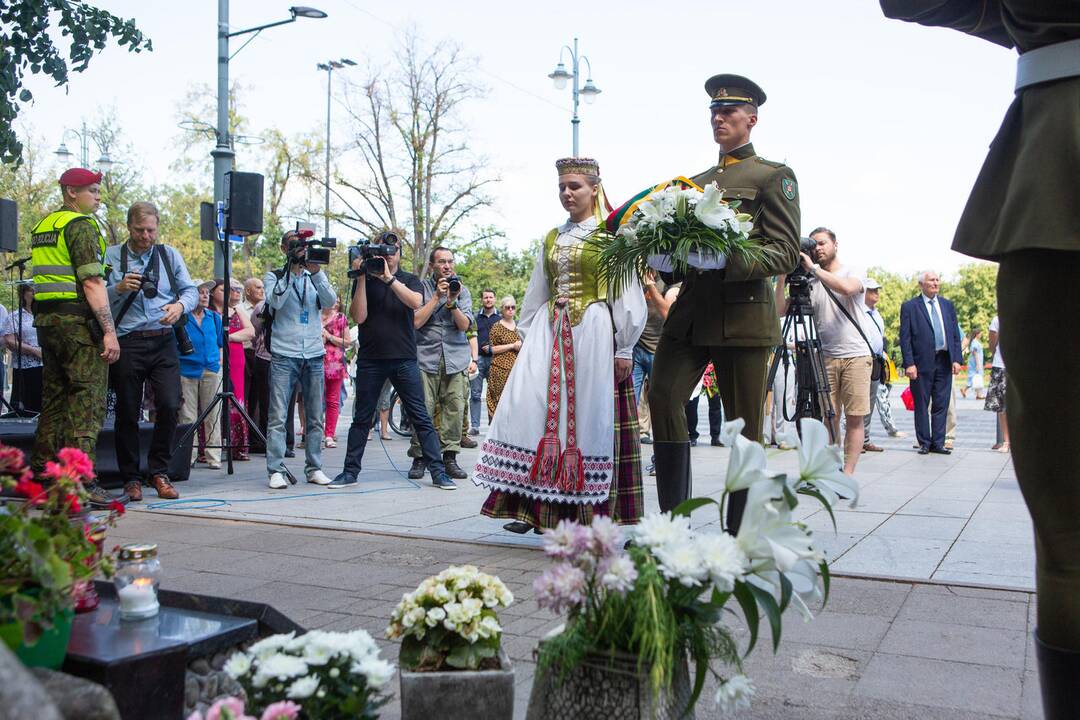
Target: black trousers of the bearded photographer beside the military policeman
(146,358)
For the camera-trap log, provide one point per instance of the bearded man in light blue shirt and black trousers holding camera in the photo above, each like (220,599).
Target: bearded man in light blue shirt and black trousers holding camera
(151,294)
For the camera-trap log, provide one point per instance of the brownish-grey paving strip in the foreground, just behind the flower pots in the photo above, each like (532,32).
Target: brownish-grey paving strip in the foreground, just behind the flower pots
(881,650)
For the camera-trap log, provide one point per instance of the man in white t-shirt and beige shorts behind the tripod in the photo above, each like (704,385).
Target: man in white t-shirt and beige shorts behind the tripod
(848,361)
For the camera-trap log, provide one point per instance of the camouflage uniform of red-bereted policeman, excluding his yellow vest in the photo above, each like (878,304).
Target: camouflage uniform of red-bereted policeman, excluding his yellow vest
(76,376)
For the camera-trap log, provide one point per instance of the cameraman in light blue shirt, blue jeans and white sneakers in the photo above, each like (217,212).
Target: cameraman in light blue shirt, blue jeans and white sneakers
(294,298)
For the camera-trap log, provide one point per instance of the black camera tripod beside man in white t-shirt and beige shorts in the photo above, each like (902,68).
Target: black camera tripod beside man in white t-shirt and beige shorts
(812,382)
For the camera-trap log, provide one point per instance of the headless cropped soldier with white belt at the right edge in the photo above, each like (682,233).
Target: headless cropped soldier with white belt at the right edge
(1023,213)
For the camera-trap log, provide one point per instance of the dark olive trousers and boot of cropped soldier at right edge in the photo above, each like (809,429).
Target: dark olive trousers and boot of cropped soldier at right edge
(1043,360)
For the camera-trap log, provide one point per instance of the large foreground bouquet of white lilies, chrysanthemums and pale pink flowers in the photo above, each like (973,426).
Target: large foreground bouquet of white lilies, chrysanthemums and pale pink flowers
(664,599)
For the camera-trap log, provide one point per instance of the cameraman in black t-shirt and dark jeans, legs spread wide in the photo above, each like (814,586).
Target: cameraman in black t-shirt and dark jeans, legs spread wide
(383,307)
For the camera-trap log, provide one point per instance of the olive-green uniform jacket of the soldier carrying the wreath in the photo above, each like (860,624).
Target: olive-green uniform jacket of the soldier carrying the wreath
(735,307)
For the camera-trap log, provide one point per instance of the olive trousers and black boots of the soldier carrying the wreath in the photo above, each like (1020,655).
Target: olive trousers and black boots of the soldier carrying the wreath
(677,371)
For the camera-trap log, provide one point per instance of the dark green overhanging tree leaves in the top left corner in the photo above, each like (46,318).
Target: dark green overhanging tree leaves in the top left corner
(26,44)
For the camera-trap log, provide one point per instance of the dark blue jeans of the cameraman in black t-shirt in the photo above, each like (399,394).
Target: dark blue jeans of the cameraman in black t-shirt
(404,375)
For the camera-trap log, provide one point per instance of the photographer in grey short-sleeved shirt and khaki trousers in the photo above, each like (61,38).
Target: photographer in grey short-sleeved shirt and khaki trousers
(445,359)
